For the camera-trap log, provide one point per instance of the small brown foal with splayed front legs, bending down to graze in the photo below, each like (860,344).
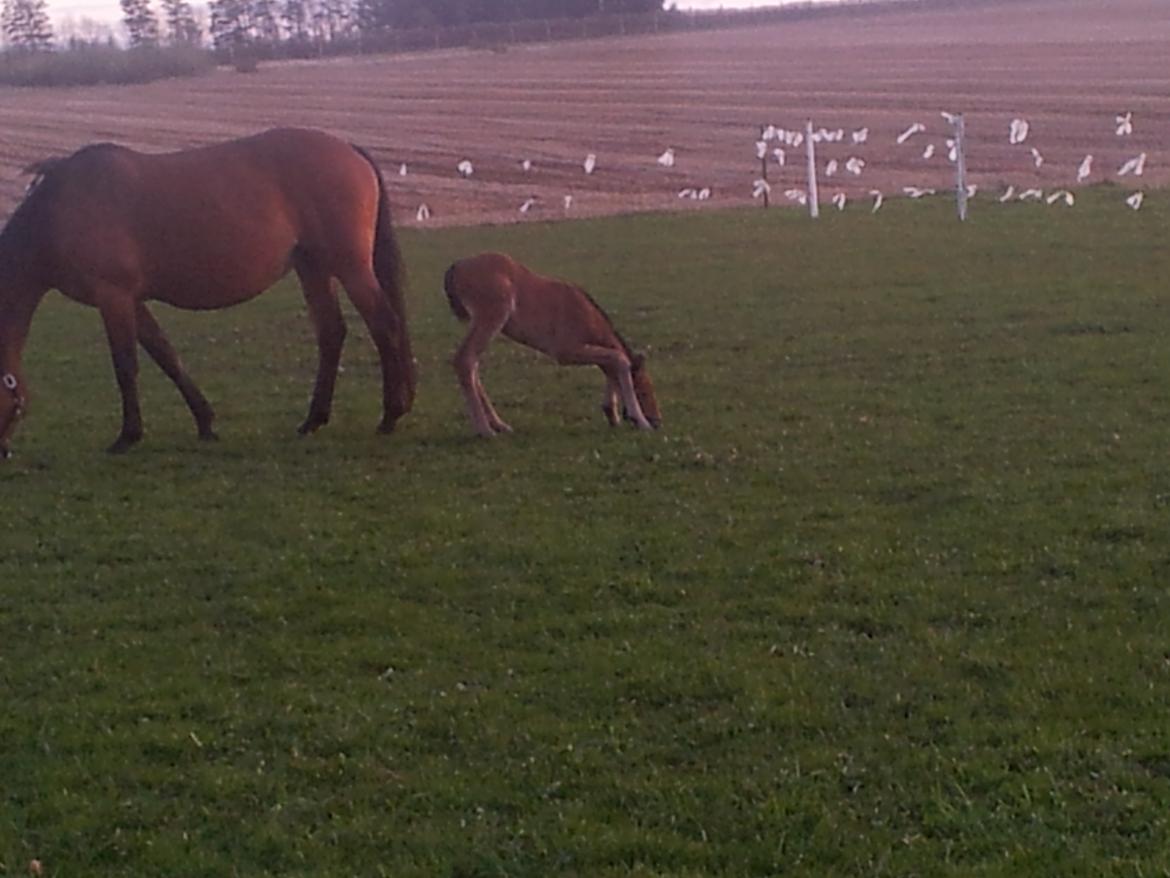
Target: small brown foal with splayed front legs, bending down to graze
(498,294)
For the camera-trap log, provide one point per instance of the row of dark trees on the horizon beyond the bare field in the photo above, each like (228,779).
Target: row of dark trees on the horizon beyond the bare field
(239,24)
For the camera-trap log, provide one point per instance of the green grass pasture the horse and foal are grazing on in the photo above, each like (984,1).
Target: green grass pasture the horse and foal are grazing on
(887,595)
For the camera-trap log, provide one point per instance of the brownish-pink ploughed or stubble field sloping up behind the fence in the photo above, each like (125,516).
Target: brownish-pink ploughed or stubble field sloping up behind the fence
(1069,67)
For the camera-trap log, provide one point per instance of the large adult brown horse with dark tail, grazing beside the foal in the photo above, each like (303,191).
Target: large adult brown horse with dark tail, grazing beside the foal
(205,229)
